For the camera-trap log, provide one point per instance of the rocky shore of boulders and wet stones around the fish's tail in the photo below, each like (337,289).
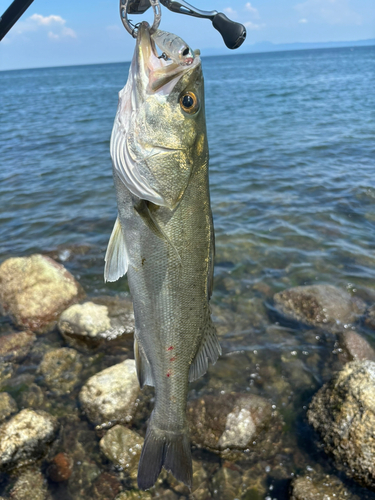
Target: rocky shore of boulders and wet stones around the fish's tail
(293,424)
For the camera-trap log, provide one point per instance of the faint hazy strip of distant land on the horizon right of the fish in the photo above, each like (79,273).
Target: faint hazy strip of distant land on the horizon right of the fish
(277,47)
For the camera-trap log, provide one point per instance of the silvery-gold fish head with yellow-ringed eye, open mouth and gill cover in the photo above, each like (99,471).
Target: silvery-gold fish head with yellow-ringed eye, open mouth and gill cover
(163,121)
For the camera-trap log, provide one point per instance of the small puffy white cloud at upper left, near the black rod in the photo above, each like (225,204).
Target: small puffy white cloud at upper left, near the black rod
(54,26)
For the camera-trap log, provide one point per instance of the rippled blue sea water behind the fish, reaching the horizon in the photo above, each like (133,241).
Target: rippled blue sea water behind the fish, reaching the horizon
(292,180)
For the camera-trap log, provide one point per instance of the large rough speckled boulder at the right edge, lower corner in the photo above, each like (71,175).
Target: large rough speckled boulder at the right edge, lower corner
(343,413)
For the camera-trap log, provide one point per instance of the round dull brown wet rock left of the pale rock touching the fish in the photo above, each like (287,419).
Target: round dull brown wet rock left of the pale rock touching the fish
(61,369)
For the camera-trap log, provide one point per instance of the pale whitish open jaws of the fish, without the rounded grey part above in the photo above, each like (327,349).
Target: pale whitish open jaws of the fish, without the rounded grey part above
(159,74)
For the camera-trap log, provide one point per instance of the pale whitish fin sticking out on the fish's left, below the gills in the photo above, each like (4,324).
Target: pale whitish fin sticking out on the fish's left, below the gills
(116,258)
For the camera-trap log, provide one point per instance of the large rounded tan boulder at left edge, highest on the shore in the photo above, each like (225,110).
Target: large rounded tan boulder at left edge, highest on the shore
(35,290)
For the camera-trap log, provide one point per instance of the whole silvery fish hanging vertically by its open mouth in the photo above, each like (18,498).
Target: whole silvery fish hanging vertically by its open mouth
(163,238)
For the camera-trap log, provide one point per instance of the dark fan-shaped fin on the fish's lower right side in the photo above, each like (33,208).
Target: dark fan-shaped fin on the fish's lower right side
(209,349)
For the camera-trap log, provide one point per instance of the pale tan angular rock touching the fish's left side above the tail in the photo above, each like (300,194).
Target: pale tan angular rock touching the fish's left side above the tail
(110,396)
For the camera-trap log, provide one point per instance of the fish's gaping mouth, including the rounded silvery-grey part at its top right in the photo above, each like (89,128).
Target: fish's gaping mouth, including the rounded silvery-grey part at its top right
(161,73)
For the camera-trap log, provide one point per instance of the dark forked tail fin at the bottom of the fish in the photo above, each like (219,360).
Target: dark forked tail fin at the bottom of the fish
(164,449)
